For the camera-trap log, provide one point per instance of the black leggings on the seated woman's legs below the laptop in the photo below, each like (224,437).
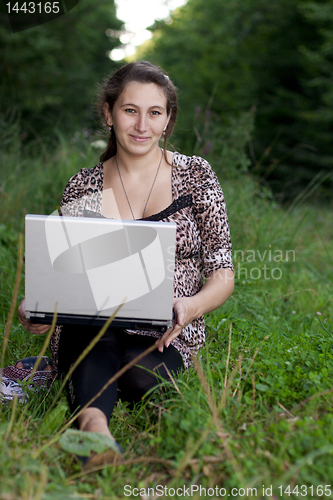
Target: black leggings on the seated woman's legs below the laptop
(114,350)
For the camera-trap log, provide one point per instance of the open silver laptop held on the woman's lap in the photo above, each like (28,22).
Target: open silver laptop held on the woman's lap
(89,267)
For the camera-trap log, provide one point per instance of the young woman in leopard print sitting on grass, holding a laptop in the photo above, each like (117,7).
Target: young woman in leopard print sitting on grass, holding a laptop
(138,103)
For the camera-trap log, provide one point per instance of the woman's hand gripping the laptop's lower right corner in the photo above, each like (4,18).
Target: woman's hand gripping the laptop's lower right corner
(185,310)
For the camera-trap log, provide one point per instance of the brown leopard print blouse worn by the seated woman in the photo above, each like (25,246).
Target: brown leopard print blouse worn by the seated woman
(202,239)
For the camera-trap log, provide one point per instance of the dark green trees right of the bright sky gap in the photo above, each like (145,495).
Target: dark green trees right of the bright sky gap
(276,56)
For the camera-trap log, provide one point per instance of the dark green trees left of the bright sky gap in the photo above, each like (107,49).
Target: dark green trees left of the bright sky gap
(49,72)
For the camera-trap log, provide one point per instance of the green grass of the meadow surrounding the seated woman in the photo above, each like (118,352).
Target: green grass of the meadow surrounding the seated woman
(256,411)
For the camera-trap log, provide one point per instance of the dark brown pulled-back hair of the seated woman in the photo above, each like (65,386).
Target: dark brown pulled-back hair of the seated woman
(114,85)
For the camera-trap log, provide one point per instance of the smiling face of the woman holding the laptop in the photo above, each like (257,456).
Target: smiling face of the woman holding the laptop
(139,117)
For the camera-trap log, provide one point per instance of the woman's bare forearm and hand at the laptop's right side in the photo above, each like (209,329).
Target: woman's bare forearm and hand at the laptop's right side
(216,290)
